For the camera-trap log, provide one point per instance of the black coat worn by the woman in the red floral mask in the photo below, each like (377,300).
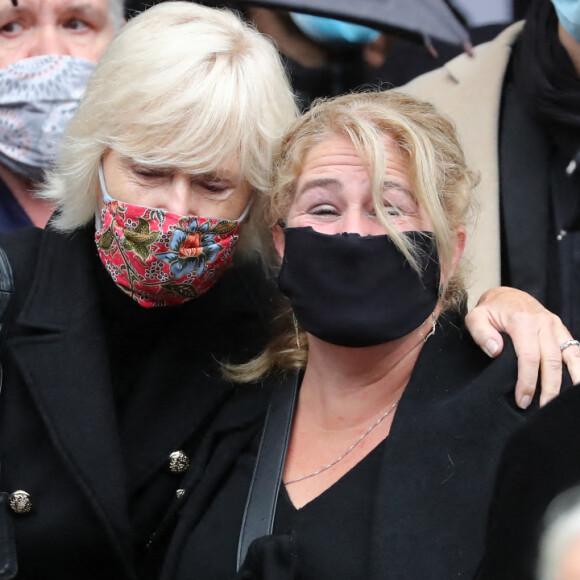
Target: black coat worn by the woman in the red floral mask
(99,490)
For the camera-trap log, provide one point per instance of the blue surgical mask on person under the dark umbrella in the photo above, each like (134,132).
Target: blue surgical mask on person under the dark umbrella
(331,31)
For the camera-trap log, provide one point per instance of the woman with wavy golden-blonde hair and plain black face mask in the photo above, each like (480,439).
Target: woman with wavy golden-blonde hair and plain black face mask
(377,455)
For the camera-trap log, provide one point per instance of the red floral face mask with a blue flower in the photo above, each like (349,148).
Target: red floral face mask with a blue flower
(160,258)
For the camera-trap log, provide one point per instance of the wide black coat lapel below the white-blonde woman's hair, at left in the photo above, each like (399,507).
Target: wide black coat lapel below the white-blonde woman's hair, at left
(58,344)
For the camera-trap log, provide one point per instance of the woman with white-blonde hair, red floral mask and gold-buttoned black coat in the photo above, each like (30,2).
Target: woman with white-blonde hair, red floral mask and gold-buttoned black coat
(160,188)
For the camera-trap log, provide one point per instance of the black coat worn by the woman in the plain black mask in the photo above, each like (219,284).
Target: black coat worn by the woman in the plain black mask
(437,471)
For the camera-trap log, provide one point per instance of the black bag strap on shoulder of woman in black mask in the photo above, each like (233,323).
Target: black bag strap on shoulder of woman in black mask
(260,508)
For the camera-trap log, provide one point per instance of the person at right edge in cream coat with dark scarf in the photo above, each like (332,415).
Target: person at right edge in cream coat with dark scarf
(516,107)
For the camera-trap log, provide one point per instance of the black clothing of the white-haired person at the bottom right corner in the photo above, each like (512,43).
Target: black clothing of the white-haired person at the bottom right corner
(540,461)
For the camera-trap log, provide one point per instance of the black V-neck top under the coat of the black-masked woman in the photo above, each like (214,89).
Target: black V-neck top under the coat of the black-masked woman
(326,538)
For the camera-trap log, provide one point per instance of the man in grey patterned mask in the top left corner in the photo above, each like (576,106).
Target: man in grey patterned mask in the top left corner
(39,93)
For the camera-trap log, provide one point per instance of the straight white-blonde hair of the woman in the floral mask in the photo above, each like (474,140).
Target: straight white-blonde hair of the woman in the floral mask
(182,86)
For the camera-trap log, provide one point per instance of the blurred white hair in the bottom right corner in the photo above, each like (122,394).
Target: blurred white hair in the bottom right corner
(561,531)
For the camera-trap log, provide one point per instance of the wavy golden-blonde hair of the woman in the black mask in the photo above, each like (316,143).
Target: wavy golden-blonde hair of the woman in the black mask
(438,172)
